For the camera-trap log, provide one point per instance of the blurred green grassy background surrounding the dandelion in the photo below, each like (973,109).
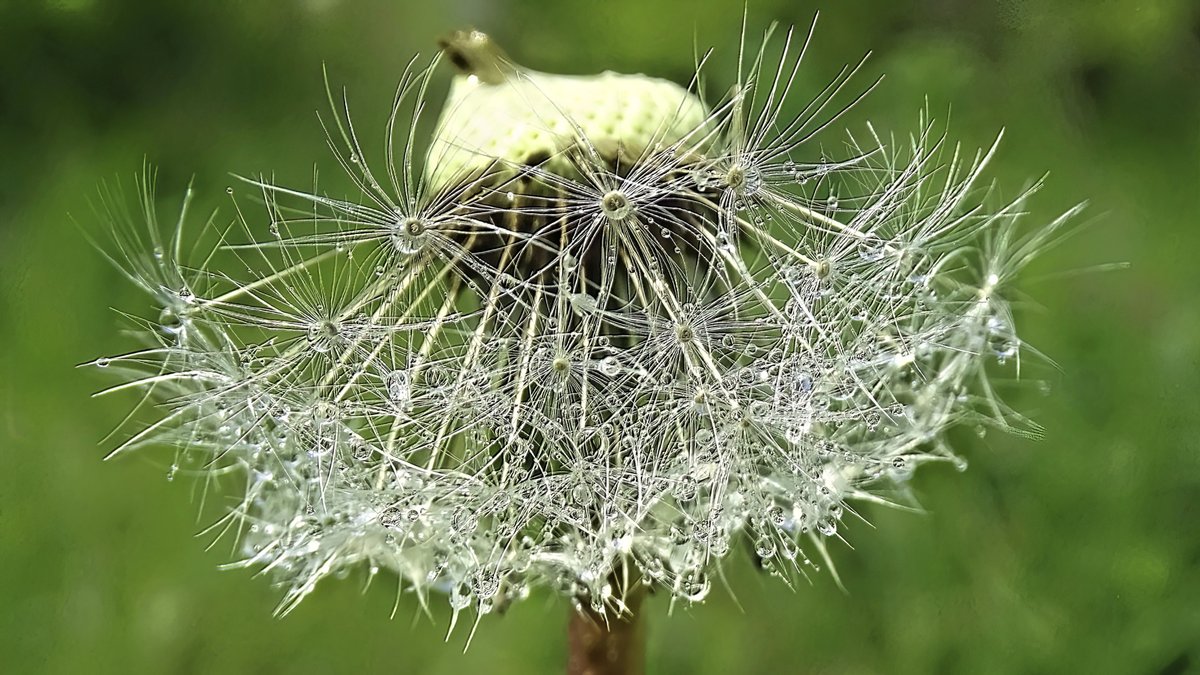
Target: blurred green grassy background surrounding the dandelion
(1076,554)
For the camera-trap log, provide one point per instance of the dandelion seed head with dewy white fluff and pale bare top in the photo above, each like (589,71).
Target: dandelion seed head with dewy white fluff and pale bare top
(590,369)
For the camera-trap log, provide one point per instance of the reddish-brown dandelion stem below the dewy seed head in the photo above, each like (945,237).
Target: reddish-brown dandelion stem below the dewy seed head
(605,647)
